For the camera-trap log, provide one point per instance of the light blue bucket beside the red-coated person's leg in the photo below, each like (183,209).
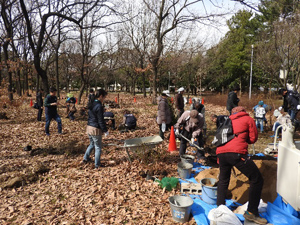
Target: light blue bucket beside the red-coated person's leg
(209,193)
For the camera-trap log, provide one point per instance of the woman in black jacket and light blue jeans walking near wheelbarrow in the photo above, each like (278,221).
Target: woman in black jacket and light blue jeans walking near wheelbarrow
(96,127)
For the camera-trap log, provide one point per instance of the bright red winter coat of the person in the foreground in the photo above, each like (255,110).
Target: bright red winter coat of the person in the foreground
(246,133)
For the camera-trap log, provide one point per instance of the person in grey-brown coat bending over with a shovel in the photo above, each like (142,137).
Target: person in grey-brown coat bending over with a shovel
(192,126)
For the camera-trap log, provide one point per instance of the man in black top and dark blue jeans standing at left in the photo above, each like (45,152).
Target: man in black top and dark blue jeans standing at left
(50,104)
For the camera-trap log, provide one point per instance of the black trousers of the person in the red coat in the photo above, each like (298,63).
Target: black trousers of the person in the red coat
(249,169)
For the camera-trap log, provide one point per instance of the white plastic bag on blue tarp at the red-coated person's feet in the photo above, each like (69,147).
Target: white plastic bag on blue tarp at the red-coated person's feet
(223,216)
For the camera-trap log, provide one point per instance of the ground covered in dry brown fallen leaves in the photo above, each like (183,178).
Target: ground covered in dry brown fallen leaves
(50,185)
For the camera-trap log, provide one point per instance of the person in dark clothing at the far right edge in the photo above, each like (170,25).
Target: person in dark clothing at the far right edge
(290,103)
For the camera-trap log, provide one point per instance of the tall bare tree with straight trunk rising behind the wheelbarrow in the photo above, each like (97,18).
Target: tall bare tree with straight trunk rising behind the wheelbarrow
(171,15)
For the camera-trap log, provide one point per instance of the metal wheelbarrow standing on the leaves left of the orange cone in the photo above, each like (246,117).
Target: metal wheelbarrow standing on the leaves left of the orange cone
(147,143)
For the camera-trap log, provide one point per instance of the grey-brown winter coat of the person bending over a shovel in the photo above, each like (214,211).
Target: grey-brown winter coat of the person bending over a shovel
(196,129)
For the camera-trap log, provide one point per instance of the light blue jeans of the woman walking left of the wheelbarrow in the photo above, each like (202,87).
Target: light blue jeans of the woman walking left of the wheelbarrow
(95,141)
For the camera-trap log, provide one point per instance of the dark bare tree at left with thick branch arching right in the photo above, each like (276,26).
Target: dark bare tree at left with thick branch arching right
(67,10)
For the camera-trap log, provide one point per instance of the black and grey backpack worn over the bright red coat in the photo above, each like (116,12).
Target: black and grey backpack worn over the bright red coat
(224,133)
